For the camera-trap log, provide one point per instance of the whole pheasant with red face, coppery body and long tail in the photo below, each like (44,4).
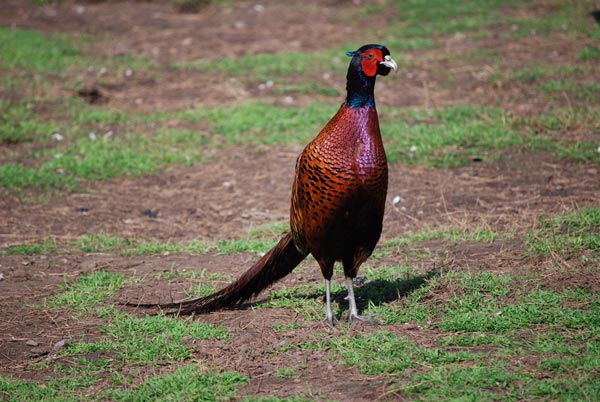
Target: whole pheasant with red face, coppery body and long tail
(338,198)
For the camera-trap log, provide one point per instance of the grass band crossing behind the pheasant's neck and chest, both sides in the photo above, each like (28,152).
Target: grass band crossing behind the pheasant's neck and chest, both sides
(449,137)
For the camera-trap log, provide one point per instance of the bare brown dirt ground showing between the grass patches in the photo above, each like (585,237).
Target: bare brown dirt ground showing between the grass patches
(194,204)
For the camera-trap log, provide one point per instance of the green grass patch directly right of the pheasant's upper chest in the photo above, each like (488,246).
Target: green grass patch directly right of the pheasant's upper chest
(454,136)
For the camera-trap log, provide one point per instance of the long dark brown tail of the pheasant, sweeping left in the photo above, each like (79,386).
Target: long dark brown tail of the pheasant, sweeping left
(274,265)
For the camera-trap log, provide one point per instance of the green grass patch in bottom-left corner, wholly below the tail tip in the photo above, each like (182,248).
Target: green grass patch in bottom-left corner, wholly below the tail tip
(130,342)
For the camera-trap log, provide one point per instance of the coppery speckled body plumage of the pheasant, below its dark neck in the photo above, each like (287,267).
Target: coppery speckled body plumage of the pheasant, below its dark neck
(339,191)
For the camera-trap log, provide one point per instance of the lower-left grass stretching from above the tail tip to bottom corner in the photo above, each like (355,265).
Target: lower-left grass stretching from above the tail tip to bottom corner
(126,341)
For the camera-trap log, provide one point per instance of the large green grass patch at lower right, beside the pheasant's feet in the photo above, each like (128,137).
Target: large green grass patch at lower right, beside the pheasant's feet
(481,326)
